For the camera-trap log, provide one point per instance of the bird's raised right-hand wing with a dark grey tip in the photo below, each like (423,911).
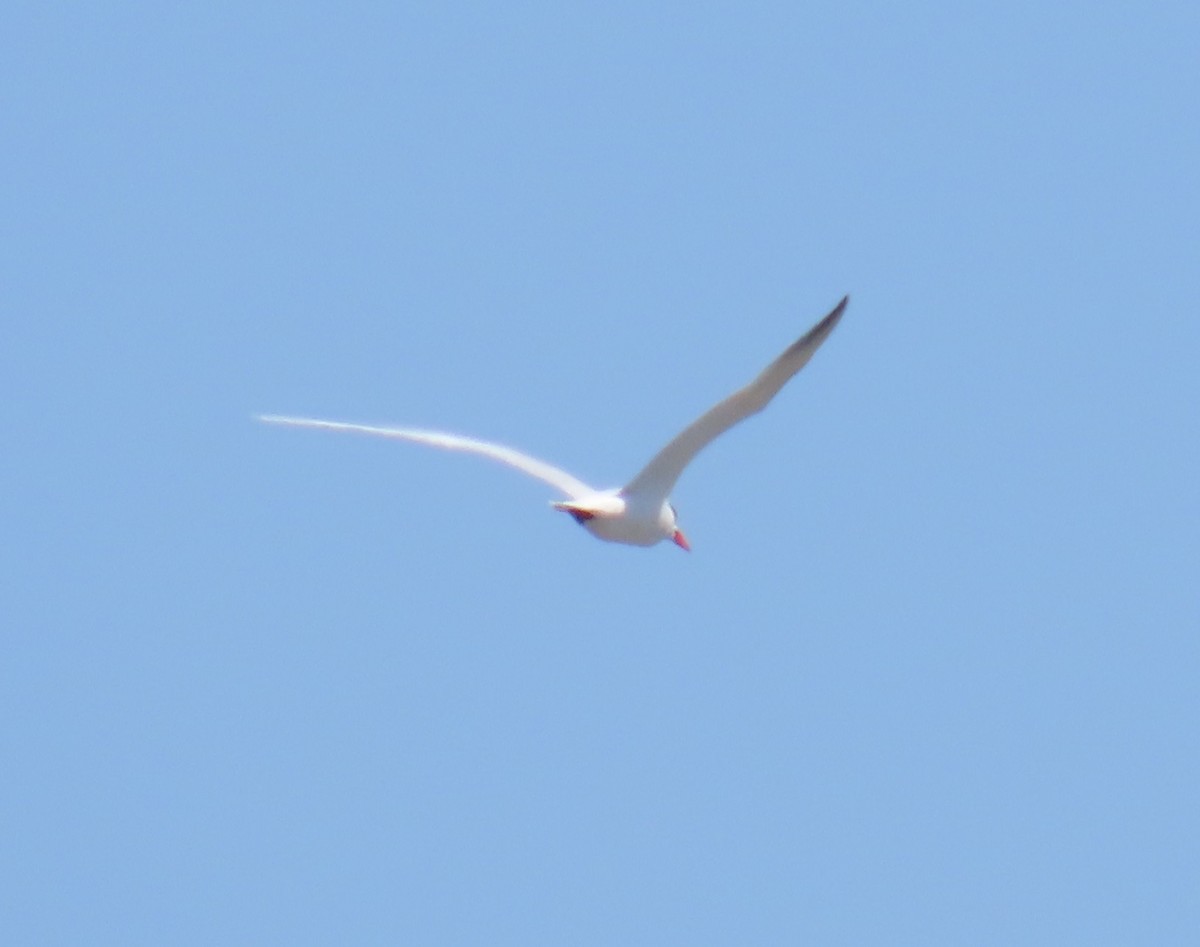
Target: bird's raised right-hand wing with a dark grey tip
(658,478)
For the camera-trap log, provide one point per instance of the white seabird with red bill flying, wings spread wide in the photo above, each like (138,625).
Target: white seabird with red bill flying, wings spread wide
(641,513)
